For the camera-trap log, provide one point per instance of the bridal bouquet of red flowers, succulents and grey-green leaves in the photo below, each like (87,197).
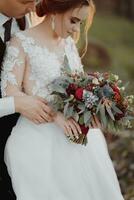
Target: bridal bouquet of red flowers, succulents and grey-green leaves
(81,95)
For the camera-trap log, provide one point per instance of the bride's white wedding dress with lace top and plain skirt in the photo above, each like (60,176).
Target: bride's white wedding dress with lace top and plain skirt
(42,163)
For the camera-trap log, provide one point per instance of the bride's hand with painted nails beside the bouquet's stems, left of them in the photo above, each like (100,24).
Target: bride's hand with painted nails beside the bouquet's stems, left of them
(70,126)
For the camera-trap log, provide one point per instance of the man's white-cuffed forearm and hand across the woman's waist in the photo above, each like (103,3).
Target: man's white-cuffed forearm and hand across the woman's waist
(29,106)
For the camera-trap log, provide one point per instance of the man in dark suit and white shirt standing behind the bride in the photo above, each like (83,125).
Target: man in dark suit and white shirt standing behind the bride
(30,107)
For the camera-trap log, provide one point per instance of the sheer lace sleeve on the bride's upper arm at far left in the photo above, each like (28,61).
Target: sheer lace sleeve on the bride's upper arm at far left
(13,68)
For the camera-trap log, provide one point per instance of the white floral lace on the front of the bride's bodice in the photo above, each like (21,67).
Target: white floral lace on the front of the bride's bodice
(45,66)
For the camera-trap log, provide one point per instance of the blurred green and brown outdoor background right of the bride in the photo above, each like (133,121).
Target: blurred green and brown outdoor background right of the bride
(111,48)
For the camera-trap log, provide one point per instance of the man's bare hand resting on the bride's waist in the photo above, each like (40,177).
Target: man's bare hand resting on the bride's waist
(33,108)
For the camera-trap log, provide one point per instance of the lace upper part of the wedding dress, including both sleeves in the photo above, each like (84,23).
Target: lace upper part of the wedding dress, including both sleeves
(29,68)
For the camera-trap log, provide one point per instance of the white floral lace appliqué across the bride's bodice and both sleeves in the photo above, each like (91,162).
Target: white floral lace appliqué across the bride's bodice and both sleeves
(45,66)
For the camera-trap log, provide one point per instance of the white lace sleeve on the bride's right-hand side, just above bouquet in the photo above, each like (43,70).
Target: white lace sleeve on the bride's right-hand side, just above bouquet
(73,55)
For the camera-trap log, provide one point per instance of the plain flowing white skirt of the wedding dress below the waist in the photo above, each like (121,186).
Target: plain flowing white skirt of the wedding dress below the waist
(44,165)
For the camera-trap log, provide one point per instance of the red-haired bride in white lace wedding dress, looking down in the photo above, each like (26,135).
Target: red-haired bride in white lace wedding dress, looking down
(42,163)
